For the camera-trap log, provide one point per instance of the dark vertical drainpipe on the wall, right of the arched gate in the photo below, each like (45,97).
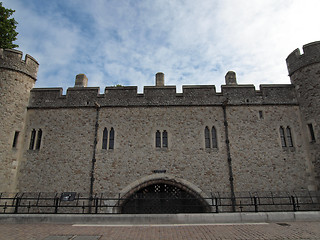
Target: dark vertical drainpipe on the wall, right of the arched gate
(233,199)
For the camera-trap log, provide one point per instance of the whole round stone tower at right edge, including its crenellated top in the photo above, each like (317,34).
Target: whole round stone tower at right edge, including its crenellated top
(304,72)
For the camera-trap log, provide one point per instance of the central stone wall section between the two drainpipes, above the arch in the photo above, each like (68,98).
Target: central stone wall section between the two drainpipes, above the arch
(135,156)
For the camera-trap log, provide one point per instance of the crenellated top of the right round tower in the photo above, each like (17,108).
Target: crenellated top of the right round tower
(311,55)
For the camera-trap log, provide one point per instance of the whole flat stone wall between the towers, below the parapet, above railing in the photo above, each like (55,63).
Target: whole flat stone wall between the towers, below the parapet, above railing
(259,162)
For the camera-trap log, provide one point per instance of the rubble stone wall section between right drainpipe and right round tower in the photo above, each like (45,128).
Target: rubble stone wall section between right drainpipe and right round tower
(259,161)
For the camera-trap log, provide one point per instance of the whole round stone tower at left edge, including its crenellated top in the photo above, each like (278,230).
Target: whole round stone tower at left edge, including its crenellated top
(17,78)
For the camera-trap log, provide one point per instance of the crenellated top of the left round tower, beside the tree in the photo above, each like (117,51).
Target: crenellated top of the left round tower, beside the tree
(12,59)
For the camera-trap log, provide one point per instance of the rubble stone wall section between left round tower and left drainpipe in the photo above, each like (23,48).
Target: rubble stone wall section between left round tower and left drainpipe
(63,162)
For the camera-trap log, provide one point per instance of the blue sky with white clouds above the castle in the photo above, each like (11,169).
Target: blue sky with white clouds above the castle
(193,42)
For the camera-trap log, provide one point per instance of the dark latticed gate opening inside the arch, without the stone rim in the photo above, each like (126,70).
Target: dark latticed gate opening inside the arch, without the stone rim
(163,198)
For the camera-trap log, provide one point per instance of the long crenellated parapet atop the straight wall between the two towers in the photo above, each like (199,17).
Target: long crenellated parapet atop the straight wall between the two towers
(201,95)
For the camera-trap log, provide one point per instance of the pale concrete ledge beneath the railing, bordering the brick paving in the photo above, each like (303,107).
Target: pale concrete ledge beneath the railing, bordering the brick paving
(137,219)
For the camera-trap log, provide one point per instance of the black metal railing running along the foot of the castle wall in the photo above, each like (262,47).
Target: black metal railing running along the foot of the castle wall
(77,203)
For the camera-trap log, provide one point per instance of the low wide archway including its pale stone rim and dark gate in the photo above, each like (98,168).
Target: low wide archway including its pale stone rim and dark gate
(162,195)
